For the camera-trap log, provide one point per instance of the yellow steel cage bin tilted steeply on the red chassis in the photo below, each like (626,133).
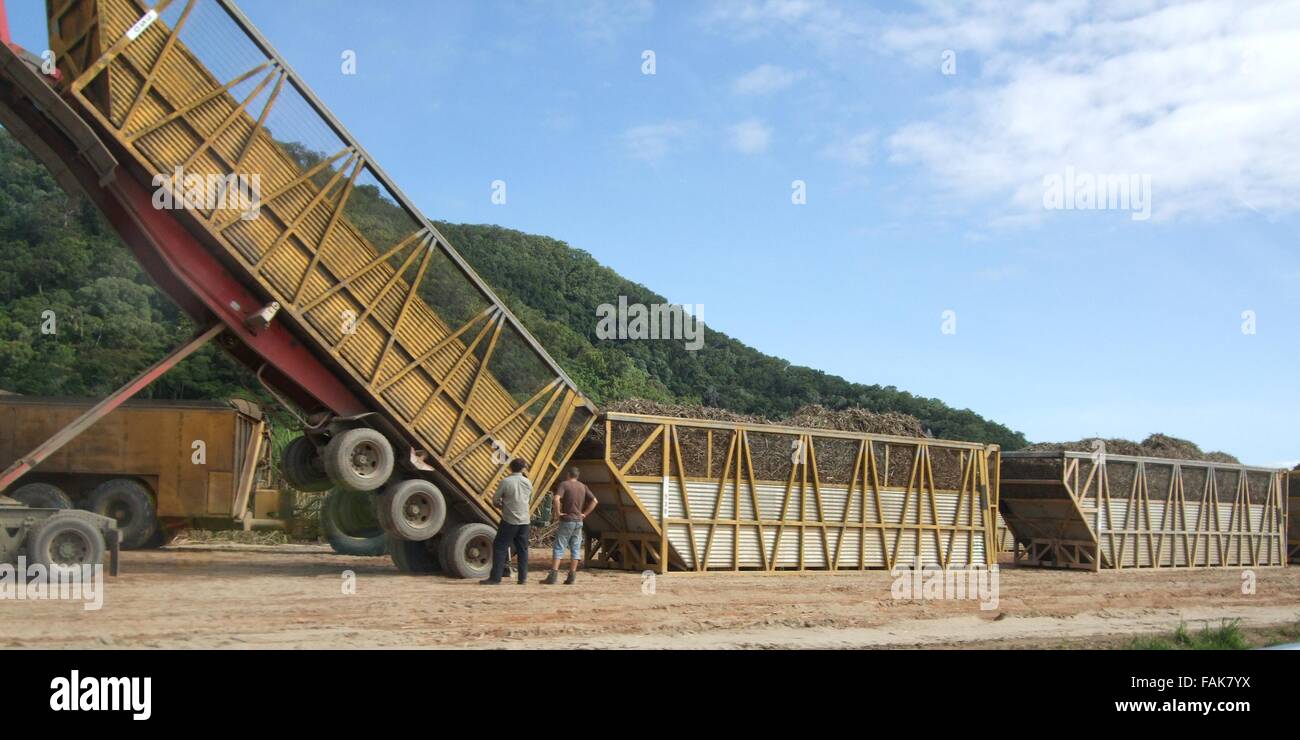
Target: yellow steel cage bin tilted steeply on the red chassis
(375,287)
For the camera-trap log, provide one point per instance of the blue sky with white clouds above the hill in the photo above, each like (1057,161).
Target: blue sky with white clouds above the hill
(925,191)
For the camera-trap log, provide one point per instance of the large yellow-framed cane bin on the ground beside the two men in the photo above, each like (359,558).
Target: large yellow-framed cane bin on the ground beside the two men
(692,495)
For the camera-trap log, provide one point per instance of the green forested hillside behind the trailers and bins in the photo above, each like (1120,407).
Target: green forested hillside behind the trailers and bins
(112,323)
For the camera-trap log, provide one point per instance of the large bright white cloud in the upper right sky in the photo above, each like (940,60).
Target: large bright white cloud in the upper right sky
(1202,97)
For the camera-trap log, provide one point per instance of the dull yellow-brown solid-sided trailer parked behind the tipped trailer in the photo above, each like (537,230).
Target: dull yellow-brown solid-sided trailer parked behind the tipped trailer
(151,466)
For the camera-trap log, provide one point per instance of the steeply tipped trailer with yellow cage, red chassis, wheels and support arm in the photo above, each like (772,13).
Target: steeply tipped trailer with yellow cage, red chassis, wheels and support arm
(263,219)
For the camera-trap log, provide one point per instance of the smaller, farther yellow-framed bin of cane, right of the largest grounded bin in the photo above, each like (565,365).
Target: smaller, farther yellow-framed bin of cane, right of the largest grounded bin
(1093,512)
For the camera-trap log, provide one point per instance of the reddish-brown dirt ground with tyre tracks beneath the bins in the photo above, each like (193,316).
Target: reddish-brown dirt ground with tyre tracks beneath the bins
(214,596)
